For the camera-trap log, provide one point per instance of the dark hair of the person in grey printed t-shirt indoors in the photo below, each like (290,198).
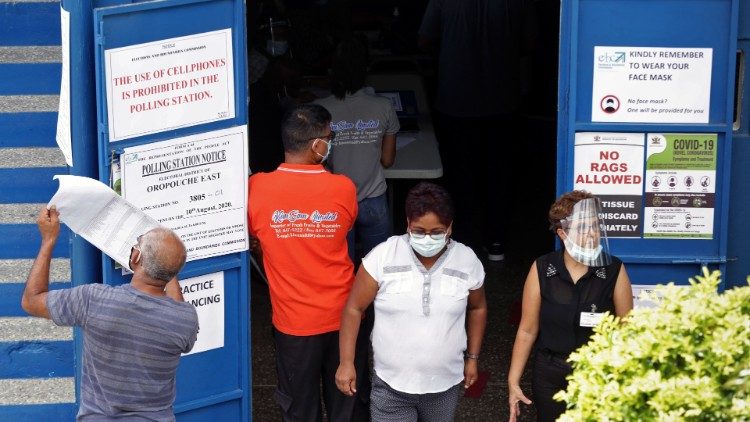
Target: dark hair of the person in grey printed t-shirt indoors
(349,69)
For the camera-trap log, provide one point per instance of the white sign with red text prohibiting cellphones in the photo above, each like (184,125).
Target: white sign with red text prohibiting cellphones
(169,84)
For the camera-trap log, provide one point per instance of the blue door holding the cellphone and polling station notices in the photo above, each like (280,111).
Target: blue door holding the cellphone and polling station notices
(213,384)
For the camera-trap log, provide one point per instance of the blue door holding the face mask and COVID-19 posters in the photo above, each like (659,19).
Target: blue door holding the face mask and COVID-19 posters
(712,24)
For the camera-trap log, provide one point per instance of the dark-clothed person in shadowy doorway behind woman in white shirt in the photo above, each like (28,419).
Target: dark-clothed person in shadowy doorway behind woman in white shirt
(479,45)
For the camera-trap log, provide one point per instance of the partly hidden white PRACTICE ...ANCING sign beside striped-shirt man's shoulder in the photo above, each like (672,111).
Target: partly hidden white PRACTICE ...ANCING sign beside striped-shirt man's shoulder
(206,294)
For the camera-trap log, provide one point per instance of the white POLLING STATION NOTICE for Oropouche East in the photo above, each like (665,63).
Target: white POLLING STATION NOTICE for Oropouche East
(195,185)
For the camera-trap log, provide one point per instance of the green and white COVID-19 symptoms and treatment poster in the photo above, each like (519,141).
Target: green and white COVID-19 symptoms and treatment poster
(680,185)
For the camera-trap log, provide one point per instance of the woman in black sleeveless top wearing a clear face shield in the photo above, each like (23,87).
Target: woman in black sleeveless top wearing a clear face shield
(565,295)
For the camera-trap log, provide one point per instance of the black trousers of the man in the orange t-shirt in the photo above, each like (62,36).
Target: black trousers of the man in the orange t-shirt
(302,362)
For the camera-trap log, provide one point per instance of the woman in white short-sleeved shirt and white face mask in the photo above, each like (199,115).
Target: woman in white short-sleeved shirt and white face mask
(423,285)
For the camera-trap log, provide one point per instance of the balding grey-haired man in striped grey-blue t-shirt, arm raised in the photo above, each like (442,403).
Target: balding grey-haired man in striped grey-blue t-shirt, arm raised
(133,334)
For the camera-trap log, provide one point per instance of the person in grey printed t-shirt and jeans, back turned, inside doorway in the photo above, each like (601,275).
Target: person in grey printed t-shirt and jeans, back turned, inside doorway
(365,126)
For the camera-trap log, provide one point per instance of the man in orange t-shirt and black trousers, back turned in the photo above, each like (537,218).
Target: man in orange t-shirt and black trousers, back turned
(301,214)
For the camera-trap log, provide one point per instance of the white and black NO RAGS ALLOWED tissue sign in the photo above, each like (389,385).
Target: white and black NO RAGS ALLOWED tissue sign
(610,165)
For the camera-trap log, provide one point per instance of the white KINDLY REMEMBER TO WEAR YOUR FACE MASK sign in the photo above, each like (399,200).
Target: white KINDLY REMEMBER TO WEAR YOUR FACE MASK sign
(651,85)
